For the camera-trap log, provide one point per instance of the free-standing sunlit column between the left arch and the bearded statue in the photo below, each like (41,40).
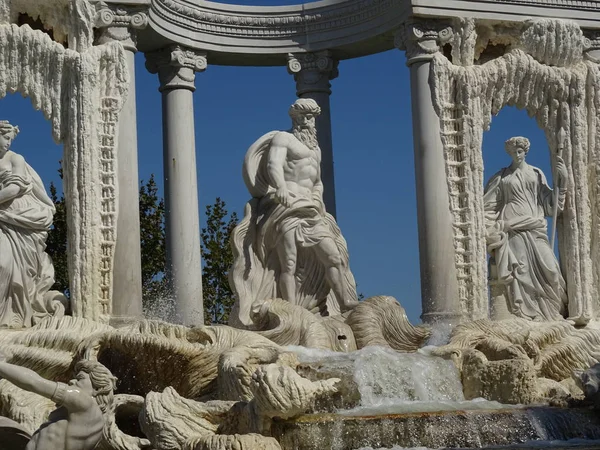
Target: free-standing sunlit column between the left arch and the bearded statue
(176,69)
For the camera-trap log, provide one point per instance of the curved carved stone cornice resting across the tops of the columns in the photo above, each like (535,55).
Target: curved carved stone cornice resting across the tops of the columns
(263,35)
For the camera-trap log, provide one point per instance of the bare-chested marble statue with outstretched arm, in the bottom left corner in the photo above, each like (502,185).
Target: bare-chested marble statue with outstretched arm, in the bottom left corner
(78,421)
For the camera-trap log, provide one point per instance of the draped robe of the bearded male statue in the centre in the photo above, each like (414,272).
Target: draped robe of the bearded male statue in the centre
(255,240)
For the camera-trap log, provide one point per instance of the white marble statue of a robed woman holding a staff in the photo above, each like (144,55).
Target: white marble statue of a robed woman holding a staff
(517,200)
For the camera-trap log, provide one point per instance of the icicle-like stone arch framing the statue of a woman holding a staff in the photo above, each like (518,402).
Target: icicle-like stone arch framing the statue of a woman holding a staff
(544,72)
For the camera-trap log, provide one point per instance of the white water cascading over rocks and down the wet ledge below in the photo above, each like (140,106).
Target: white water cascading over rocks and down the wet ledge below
(415,401)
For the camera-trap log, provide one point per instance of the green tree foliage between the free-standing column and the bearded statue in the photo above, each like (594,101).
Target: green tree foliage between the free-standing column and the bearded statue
(218,259)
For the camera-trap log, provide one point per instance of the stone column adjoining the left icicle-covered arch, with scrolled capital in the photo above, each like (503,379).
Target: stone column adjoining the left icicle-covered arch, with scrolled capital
(120,24)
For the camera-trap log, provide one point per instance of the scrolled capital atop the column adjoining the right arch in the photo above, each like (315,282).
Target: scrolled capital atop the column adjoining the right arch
(422,39)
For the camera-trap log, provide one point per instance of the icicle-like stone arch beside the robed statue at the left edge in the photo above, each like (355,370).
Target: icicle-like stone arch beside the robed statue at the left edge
(80,90)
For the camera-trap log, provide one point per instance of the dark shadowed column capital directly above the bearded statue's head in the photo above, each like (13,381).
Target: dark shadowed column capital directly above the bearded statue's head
(313,71)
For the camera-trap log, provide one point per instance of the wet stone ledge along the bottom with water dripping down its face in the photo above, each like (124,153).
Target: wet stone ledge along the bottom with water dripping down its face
(455,429)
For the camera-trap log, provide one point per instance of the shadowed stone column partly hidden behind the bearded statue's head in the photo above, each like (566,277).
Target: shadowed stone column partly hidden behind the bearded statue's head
(312,72)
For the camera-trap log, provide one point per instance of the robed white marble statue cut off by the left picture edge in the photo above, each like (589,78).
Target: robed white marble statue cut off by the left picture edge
(26,212)
